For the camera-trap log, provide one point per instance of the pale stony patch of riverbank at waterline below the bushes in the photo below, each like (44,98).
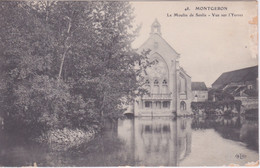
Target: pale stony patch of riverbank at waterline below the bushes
(64,139)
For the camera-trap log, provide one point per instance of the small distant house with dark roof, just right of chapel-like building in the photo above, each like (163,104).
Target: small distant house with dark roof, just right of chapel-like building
(199,92)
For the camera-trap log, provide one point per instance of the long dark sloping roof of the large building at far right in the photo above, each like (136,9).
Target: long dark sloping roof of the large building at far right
(241,75)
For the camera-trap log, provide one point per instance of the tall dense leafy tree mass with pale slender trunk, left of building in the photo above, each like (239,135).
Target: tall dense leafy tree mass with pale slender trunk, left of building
(66,64)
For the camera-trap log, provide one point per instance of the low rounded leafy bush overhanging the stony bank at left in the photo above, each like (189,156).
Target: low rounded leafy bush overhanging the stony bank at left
(48,104)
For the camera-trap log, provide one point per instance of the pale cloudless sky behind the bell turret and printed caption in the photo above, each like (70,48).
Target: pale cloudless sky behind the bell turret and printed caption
(208,46)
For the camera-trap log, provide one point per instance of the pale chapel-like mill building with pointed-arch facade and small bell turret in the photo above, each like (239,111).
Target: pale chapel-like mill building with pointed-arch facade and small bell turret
(169,86)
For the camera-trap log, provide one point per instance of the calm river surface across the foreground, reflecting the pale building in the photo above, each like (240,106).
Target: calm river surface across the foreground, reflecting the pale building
(214,141)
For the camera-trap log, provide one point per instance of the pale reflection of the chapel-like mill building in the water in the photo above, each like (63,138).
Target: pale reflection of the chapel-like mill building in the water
(157,141)
